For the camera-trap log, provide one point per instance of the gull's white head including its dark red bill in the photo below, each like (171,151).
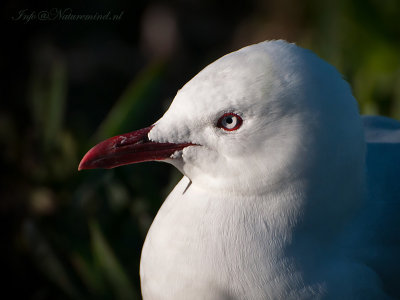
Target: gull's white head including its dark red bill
(258,118)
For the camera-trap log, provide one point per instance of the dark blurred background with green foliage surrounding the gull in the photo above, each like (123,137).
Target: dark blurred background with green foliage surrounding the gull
(69,83)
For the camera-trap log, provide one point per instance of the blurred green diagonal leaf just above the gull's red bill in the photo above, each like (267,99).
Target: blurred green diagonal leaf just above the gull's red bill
(132,103)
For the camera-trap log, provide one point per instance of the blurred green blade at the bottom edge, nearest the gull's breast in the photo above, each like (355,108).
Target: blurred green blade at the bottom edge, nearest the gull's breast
(110,266)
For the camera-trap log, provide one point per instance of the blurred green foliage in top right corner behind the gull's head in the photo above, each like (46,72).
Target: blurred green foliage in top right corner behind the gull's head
(361,39)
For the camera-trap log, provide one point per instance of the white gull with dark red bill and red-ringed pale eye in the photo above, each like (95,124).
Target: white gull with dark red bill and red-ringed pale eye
(287,192)
